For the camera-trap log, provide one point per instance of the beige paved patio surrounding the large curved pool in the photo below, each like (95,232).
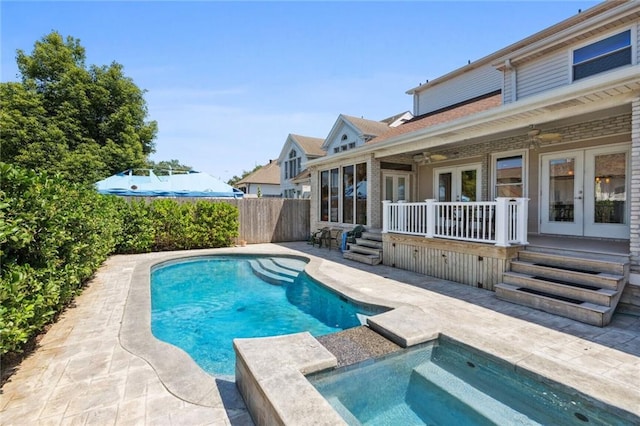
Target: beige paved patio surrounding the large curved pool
(81,372)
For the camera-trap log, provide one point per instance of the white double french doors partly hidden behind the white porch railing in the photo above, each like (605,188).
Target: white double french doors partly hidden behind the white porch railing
(460,183)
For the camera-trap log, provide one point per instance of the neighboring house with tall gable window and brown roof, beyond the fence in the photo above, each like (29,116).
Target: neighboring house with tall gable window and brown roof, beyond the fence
(295,180)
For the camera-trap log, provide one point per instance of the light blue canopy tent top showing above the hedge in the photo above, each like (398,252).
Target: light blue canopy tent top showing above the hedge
(184,184)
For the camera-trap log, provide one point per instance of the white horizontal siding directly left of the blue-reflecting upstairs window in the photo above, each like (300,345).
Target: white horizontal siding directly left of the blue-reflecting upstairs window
(546,73)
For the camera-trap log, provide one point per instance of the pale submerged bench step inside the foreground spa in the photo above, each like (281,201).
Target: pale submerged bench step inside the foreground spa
(432,377)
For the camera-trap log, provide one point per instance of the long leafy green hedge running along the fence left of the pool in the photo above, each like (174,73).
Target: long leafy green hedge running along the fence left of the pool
(55,235)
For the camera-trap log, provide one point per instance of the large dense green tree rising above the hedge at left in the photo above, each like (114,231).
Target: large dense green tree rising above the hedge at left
(84,123)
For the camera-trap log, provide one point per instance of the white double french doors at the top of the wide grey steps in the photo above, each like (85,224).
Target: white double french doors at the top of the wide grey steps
(585,192)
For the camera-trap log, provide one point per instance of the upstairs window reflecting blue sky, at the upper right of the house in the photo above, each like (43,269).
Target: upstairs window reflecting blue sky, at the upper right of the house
(604,55)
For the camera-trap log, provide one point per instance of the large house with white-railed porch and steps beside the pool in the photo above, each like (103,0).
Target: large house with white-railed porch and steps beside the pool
(539,139)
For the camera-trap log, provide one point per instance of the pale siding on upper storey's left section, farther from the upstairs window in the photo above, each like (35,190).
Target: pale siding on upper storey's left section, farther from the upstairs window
(467,86)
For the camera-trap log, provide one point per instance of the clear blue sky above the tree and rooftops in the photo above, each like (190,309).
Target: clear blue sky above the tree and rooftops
(228,81)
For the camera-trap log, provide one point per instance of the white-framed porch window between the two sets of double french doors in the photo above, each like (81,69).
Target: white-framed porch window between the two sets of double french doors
(509,172)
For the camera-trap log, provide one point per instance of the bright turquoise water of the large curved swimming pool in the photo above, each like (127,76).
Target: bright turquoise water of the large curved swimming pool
(201,305)
